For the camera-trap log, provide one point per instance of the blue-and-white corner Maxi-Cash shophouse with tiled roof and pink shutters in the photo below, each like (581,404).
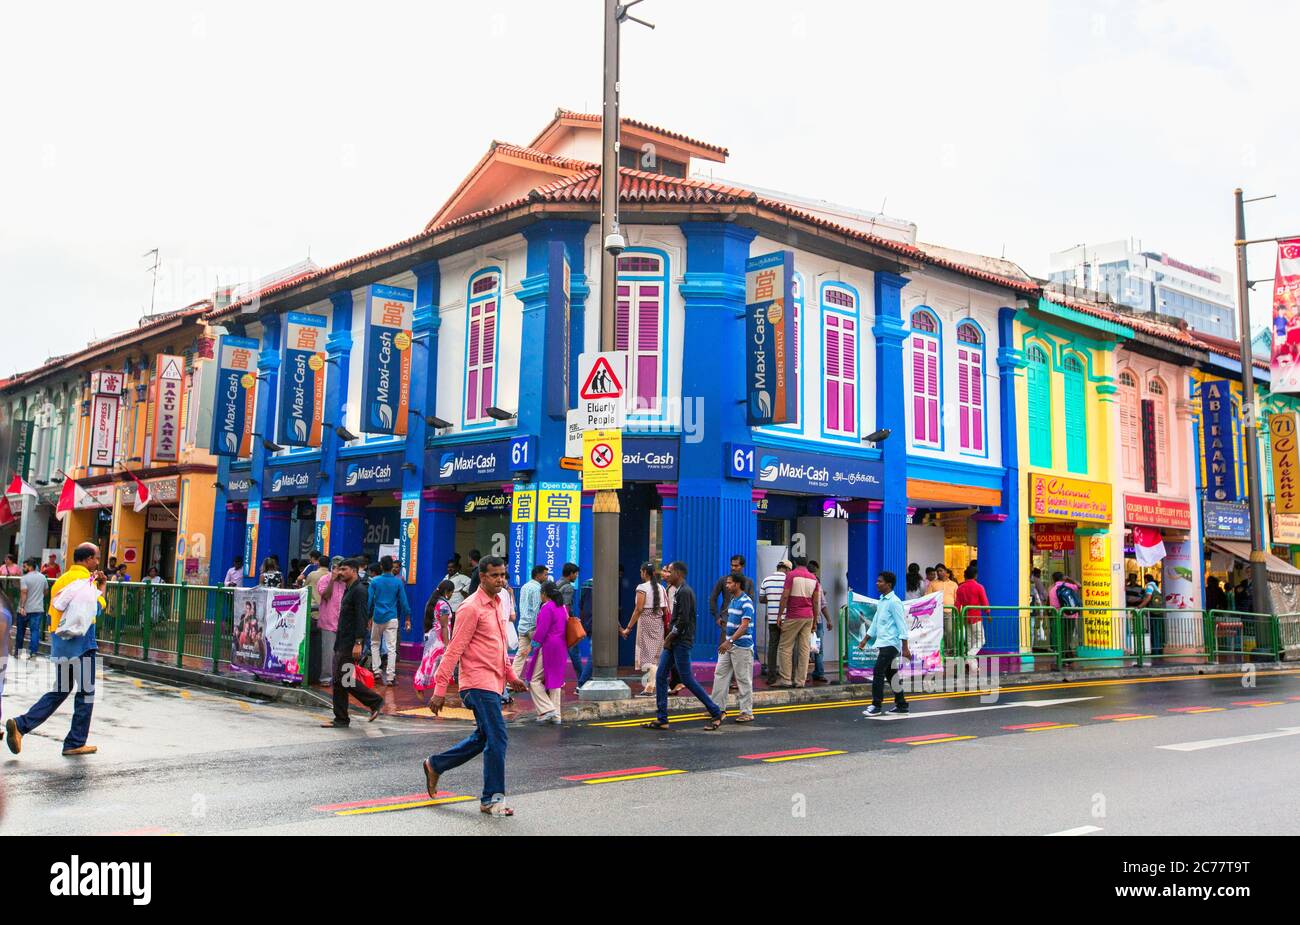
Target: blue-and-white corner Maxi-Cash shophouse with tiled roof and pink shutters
(488,342)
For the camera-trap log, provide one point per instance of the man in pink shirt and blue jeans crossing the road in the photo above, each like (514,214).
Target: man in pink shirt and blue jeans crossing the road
(479,646)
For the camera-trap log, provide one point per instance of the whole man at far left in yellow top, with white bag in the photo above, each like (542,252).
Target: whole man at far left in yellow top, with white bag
(72,649)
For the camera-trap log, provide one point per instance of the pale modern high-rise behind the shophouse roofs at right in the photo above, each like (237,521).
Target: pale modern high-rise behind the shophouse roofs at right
(1152,281)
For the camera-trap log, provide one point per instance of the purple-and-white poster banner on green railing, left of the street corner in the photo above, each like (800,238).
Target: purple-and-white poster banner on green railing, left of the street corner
(271,633)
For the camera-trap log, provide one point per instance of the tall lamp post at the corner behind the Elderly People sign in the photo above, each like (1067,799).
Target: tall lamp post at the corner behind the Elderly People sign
(605,684)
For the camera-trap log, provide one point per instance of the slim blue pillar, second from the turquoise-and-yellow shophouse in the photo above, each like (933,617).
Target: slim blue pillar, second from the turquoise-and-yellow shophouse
(891,415)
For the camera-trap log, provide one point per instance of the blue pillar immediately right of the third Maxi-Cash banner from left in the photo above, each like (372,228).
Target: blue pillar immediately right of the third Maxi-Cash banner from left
(424,401)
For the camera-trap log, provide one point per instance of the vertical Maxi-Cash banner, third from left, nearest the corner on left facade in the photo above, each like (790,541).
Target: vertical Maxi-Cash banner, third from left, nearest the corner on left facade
(387,381)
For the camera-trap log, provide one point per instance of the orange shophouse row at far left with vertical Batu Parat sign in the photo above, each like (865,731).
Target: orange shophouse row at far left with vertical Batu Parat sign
(132,410)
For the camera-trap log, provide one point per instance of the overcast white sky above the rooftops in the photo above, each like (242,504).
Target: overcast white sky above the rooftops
(239,136)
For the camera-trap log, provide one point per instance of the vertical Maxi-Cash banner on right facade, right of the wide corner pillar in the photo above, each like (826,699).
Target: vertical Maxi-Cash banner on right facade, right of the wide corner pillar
(770,370)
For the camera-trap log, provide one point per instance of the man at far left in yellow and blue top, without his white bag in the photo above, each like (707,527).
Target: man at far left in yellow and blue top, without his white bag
(75,666)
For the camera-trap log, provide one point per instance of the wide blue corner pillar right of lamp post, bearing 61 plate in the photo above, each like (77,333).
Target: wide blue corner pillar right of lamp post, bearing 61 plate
(716,515)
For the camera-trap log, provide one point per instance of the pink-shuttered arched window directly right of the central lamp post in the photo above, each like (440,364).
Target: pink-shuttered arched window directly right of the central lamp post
(640,322)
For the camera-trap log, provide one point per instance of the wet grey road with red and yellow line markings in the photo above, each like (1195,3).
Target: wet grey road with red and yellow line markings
(1176,755)
